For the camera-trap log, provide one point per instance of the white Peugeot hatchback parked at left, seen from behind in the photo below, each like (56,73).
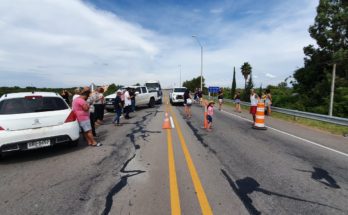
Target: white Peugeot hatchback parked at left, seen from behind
(34,120)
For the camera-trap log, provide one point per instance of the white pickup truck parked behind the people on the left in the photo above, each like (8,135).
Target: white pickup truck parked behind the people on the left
(143,98)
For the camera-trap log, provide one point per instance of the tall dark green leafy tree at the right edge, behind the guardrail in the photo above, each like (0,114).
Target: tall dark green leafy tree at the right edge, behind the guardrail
(313,80)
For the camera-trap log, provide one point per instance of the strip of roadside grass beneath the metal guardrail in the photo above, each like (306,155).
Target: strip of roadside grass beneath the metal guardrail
(324,126)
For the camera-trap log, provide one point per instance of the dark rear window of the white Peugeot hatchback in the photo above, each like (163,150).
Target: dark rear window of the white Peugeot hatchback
(31,105)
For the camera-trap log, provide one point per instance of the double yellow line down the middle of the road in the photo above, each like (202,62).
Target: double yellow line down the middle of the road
(174,191)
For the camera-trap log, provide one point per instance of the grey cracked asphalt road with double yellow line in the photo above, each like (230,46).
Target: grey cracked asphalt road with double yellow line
(144,169)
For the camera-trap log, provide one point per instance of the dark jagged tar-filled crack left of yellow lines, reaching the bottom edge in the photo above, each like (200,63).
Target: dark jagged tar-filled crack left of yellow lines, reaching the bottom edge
(120,185)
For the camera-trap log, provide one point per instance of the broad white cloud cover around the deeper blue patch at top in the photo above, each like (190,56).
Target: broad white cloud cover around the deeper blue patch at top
(69,43)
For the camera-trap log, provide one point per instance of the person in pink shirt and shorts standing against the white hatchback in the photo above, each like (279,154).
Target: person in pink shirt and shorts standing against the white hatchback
(81,110)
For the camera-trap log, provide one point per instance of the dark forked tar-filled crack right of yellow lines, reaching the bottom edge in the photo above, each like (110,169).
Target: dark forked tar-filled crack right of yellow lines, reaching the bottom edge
(246,186)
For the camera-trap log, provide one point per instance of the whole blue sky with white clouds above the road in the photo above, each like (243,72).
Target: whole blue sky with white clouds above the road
(67,43)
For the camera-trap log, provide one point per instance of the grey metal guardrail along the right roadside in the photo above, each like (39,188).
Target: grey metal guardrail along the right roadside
(307,115)
